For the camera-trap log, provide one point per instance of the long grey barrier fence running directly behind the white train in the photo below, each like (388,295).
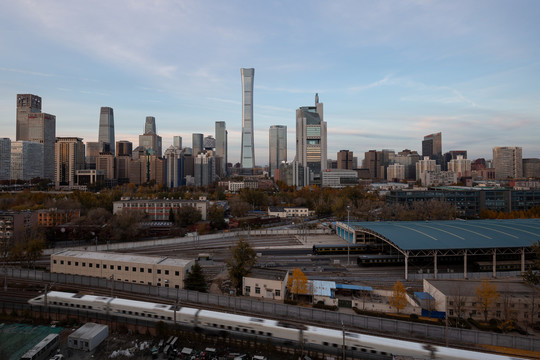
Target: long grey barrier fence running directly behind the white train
(378,325)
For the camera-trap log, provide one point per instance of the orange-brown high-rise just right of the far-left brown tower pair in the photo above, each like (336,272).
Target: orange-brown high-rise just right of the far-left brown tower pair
(69,158)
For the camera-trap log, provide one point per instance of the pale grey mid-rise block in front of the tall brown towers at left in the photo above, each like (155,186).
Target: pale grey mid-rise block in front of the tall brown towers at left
(26,160)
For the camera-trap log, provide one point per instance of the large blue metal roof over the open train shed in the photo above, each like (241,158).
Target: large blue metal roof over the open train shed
(457,234)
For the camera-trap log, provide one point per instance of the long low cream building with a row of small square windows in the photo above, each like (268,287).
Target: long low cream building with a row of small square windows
(152,270)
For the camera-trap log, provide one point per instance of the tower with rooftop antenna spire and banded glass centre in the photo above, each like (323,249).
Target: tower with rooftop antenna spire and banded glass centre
(311,148)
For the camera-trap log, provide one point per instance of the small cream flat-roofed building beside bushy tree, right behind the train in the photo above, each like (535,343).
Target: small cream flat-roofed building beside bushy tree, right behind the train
(265,283)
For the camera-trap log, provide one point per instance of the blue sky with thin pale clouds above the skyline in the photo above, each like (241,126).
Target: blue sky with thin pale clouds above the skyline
(388,72)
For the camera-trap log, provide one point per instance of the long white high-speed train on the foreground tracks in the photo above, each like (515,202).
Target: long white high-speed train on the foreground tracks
(221,322)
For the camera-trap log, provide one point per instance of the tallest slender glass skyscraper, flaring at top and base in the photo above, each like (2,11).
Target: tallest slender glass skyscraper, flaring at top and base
(247,152)
